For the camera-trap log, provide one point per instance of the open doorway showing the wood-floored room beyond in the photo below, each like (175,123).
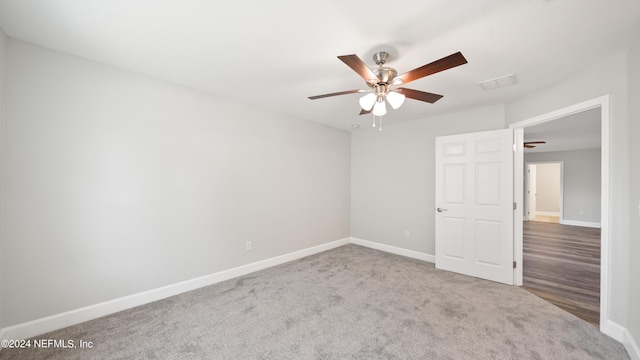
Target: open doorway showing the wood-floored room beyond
(561,262)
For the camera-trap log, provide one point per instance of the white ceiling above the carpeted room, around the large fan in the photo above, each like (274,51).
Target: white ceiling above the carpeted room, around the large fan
(273,54)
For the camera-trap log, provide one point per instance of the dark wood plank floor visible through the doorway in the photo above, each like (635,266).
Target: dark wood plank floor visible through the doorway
(561,264)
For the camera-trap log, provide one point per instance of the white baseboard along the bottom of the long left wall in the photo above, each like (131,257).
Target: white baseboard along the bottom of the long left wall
(73,317)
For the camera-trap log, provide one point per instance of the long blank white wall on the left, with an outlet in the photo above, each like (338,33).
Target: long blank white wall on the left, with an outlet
(117,183)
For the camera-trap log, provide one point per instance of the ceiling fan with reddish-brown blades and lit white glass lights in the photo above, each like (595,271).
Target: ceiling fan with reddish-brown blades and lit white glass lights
(385,83)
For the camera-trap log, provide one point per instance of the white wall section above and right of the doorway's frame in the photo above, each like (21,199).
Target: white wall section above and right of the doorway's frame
(606,77)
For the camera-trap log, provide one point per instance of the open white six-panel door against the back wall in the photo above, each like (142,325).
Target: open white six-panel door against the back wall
(474,204)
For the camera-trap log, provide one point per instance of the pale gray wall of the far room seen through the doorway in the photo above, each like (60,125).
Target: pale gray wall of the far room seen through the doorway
(582,182)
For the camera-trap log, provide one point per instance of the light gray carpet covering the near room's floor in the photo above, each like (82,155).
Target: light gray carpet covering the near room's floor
(347,303)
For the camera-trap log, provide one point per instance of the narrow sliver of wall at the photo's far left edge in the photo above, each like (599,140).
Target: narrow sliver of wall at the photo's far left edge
(3,53)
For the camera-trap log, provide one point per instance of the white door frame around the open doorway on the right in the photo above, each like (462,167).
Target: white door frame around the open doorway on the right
(602,102)
